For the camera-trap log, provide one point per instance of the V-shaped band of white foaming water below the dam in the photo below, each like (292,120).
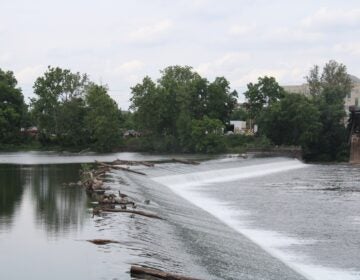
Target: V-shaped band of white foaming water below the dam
(189,186)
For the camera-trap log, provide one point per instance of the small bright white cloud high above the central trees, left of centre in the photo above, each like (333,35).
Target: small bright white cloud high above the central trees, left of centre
(151,32)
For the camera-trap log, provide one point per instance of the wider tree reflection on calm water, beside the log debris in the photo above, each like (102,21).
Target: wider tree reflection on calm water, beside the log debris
(58,208)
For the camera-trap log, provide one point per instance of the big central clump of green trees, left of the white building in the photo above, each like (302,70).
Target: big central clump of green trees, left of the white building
(165,111)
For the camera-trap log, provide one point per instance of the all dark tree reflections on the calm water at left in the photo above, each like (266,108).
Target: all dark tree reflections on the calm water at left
(57,209)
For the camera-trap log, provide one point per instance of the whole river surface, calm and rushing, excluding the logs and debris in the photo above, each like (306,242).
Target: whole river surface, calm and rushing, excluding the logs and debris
(227,218)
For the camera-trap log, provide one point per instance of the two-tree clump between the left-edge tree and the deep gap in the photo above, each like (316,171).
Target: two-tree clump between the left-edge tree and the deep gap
(72,112)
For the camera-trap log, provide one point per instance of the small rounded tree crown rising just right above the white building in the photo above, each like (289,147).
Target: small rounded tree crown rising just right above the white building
(265,92)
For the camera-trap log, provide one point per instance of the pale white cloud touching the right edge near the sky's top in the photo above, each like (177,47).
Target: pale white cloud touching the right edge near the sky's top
(326,18)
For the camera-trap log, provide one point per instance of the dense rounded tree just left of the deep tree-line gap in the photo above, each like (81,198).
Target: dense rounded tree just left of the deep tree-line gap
(103,119)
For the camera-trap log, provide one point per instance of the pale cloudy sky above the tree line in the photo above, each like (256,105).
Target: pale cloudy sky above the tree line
(119,42)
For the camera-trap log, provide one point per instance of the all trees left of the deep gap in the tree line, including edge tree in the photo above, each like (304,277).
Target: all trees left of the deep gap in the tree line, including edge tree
(69,112)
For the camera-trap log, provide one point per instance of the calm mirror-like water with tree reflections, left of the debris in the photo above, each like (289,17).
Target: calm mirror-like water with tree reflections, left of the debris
(39,221)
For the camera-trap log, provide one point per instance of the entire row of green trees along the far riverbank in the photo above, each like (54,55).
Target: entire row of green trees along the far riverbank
(181,111)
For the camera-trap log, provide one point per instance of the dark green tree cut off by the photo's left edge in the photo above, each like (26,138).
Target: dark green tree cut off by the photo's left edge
(12,108)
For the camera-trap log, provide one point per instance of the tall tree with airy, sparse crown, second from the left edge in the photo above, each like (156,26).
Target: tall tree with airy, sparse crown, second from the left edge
(54,89)
